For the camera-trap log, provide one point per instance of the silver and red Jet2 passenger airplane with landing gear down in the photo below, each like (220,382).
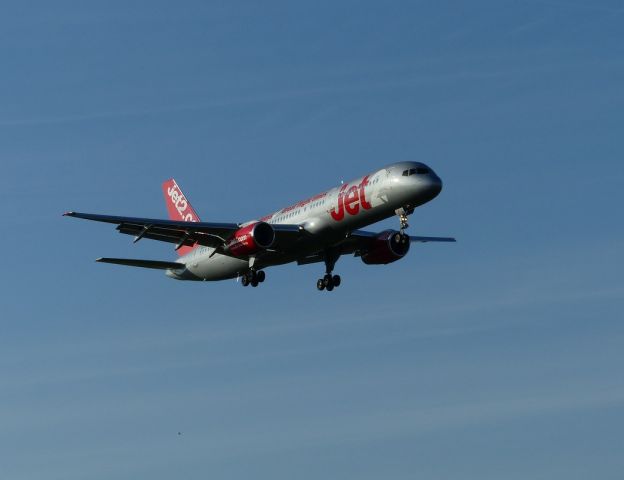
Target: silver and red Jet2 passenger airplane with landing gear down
(319,229)
